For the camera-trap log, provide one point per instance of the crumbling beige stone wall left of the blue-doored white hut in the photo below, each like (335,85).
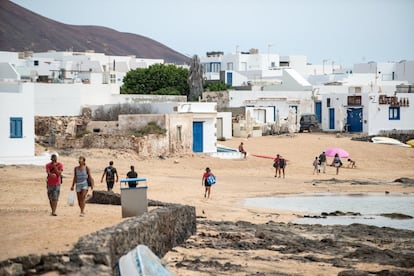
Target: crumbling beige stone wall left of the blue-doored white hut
(79,132)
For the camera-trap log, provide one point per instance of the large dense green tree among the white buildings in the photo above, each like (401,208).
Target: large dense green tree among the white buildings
(158,79)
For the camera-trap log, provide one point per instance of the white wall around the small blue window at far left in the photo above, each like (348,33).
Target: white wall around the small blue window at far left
(17,101)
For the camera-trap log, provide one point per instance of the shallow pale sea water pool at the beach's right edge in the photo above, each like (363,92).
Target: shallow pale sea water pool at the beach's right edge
(370,206)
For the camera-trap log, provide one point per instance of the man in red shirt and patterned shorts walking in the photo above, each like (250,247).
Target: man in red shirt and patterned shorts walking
(54,171)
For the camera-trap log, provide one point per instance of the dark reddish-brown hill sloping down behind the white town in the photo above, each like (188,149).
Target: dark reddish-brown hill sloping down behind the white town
(24,30)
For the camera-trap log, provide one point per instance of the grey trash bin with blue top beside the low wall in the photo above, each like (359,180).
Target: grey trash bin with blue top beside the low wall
(134,200)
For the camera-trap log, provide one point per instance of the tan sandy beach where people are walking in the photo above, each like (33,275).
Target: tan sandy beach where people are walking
(27,227)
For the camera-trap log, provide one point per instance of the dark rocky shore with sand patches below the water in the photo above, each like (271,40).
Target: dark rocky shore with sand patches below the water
(356,249)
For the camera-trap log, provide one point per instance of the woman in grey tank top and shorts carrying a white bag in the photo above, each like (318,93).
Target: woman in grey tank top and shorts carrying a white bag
(82,178)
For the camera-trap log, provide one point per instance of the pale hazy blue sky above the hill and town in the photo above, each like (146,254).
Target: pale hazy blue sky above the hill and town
(343,31)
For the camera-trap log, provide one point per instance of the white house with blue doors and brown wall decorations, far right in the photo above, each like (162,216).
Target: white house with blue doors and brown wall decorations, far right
(363,103)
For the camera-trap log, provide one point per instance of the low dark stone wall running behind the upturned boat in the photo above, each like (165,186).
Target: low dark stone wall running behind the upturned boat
(97,254)
